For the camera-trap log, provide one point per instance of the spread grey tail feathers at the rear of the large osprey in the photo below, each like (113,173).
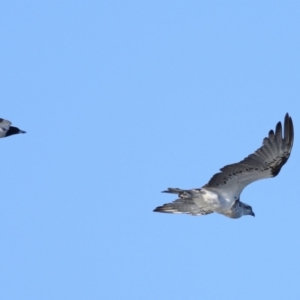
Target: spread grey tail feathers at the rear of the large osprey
(185,204)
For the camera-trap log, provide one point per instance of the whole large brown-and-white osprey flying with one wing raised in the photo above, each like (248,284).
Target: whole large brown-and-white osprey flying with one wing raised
(222,193)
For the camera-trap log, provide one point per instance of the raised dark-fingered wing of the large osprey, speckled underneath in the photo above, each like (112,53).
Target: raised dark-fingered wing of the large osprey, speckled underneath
(265,162)
